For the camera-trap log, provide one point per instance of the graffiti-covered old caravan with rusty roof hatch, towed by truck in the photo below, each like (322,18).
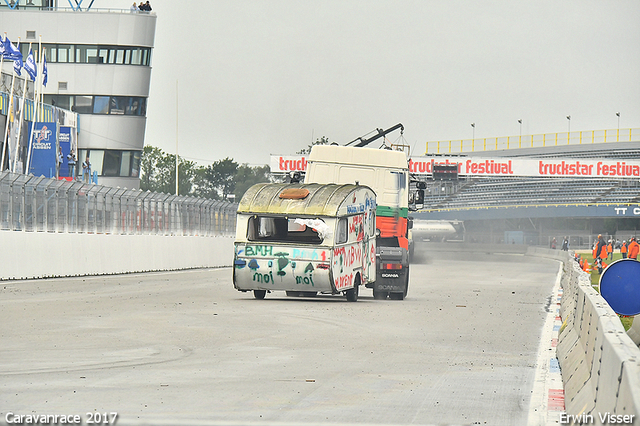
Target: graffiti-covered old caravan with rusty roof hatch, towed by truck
(305,239)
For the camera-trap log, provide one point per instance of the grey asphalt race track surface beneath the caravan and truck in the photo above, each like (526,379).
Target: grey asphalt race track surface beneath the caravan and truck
(187,347)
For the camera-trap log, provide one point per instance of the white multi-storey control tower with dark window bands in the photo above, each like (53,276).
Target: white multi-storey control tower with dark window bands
(99,65)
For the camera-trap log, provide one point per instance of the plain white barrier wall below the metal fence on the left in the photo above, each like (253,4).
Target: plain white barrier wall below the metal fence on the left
(45,254)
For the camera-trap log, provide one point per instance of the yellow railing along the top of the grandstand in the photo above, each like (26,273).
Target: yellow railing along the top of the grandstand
(533,141)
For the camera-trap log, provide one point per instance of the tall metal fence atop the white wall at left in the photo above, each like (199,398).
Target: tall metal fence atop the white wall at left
(39,204)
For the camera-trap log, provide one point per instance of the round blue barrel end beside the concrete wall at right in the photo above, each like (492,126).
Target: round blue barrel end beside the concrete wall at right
(620,286)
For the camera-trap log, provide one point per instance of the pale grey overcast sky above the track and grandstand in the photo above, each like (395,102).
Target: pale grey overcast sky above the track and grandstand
(268,77)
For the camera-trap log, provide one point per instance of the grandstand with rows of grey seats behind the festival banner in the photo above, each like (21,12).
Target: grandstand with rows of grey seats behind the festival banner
(538,201)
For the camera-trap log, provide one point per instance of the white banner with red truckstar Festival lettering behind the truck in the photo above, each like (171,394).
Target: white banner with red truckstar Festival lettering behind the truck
(499,166)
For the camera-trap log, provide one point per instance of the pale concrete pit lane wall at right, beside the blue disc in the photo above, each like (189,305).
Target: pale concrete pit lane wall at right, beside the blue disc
(600,364)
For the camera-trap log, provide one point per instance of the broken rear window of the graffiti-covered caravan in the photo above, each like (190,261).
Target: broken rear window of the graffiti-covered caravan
(286,229)
